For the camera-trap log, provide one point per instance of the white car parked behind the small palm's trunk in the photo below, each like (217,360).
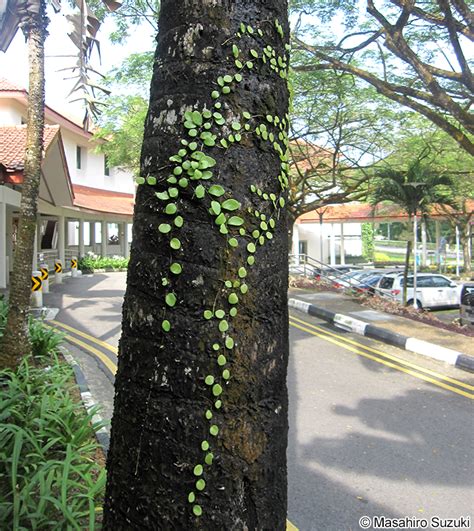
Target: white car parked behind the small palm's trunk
(432,290)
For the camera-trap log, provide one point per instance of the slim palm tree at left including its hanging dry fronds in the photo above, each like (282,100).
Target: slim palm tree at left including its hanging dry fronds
(32,19)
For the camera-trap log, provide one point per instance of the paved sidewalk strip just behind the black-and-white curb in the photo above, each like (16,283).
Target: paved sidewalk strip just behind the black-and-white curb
(340,303)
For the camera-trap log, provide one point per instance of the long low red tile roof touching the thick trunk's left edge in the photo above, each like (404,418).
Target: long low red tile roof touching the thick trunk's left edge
(103,200)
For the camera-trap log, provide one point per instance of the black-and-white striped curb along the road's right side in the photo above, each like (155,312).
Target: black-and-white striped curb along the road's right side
(412,344)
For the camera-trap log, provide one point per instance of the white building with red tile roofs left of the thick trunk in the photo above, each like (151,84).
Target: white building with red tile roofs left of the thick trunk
(84,205)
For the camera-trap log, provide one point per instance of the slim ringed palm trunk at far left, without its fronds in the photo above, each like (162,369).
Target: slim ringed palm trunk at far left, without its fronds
(15,341)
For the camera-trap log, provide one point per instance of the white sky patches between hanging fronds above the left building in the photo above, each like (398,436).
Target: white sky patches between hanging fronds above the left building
(14,62)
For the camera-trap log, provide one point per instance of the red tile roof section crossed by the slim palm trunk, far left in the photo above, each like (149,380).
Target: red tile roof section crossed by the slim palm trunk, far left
(13,144)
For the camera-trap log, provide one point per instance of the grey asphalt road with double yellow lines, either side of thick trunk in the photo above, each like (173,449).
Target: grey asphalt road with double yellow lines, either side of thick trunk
(373,430)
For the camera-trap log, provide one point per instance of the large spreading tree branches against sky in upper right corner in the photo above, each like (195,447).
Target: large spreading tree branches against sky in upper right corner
(414,53)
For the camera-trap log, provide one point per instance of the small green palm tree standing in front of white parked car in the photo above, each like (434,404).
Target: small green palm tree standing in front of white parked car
(415,190)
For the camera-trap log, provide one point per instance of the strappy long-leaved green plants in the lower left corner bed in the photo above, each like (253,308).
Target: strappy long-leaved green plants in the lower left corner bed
(49,478)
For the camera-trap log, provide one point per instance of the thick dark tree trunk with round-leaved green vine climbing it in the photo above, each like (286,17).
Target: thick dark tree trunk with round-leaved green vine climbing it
(199,430)
